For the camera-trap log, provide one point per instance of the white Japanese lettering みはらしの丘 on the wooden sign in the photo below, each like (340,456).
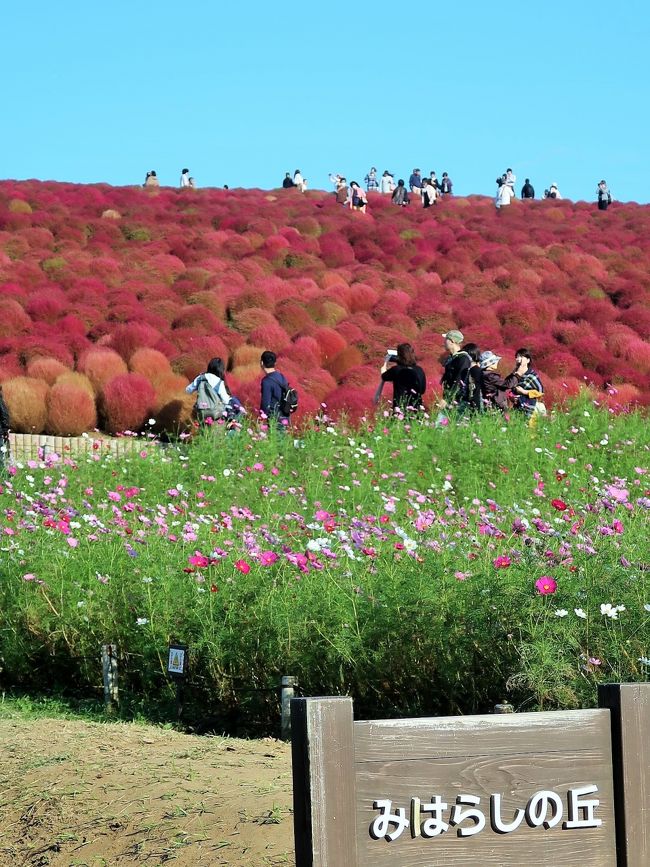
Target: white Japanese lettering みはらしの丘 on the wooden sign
(427,819)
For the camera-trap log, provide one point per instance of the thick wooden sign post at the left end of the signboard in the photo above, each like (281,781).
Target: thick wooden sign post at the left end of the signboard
(322,751)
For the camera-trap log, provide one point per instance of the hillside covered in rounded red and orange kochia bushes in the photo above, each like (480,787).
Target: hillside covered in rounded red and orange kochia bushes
(112,298)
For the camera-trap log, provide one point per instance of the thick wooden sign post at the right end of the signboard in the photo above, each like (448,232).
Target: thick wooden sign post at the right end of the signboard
(629,704)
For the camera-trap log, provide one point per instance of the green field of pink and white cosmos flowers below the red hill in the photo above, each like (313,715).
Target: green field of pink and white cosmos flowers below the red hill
(421,569)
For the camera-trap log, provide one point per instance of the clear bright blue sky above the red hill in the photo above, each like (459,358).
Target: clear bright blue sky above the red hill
(240,92)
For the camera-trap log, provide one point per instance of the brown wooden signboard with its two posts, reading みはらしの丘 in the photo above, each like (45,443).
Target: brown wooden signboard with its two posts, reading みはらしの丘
(475,791)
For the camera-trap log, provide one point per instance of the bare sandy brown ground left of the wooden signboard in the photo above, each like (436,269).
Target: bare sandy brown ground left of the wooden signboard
(75,794)
